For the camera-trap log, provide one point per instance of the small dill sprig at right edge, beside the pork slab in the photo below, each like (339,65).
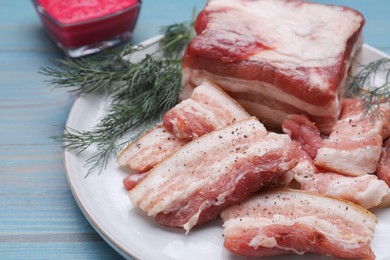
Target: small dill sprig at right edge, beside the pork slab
(372,85)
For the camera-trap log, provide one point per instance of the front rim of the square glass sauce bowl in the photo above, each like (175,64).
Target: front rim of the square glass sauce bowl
(41,11)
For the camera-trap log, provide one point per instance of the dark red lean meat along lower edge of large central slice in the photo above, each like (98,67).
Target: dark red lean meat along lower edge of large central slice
(244,178)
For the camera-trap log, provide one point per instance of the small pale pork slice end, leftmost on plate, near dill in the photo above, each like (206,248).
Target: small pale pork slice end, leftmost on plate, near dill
(149,149)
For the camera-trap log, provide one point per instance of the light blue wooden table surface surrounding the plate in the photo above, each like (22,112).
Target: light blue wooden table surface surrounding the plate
(39,217)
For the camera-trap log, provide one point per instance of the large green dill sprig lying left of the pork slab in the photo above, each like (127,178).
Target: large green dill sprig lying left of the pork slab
(140,92)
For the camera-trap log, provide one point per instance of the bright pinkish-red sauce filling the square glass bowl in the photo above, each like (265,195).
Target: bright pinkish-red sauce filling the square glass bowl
(79,23)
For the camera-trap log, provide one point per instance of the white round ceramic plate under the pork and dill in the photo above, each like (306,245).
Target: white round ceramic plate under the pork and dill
(105,203)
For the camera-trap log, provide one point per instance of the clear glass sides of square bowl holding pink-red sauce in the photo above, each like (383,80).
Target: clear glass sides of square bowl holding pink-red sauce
(89,36)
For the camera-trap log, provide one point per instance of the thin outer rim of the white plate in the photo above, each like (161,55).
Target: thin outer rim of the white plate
(88,215)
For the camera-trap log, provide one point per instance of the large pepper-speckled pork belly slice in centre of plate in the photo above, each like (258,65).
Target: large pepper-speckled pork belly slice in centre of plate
(212,172)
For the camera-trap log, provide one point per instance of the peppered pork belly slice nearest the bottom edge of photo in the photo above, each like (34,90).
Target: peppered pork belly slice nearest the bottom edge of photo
(293,221)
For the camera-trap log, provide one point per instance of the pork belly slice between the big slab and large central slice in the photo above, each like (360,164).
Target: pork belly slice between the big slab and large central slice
(208,109)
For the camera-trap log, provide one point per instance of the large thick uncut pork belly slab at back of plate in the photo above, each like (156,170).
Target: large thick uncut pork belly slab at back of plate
(275,57)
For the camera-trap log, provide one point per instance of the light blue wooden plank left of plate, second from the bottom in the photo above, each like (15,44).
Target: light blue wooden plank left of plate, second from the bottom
(34,194)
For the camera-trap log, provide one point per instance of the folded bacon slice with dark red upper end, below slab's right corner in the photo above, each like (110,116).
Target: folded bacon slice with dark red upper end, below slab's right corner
(365,190)
